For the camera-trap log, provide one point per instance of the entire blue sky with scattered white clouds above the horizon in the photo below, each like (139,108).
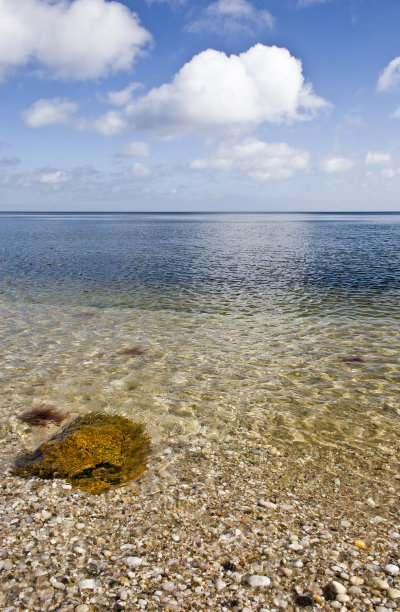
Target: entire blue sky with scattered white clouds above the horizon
(183,105)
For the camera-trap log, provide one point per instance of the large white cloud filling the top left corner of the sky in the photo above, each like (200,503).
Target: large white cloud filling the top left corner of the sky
(82,39)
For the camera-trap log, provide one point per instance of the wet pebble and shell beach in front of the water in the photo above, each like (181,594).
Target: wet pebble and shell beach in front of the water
(231,524)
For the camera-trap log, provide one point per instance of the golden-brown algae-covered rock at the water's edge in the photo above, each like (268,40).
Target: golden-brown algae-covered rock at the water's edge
(94,453)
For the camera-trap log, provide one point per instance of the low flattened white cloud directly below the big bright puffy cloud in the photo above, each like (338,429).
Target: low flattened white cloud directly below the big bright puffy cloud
(256,159)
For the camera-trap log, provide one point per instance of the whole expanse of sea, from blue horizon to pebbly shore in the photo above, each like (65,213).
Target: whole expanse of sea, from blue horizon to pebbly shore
(246,322)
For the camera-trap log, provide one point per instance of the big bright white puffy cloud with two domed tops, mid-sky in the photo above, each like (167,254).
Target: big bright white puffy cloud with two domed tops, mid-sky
(263,84)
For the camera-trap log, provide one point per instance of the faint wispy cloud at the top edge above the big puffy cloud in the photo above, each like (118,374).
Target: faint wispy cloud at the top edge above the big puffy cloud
(231,15)
